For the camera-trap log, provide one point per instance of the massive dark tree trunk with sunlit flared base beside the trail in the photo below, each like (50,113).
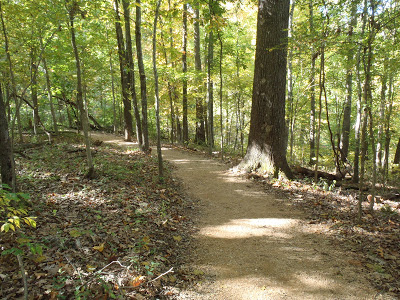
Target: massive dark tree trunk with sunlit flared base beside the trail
(266,150)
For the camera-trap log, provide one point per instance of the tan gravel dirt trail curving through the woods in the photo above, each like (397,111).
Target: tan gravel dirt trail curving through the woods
(251,245)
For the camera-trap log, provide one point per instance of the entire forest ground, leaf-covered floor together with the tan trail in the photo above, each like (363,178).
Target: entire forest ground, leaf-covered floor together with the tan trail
(225,236)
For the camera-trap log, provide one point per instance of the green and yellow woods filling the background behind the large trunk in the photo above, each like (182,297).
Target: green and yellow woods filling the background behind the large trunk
(341,83)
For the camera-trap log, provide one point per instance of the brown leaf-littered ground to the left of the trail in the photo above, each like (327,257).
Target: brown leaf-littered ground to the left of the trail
(123,235)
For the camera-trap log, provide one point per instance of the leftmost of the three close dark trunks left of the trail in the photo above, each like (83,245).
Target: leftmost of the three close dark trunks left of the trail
(124,77)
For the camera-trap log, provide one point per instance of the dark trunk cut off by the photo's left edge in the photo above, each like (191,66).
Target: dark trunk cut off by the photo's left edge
(6,154)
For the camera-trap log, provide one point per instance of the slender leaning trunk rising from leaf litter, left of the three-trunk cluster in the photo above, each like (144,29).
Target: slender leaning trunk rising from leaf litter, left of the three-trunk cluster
(79,95)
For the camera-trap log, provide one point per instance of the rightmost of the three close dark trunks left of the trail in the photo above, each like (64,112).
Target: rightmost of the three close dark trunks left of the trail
(143,87)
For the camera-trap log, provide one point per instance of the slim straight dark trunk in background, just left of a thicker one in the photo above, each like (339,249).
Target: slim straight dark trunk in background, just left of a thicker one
(184,83)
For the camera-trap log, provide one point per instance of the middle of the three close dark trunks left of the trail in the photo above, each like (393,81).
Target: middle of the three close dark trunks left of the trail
(131,71)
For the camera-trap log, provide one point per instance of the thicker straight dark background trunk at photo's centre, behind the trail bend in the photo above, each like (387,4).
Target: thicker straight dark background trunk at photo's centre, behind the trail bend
(200,130)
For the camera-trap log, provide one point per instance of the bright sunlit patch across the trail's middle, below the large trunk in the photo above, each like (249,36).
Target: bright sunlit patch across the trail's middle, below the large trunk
(245,228)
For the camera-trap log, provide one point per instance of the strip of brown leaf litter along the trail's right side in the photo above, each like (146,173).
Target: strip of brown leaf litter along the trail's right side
(375,240)
